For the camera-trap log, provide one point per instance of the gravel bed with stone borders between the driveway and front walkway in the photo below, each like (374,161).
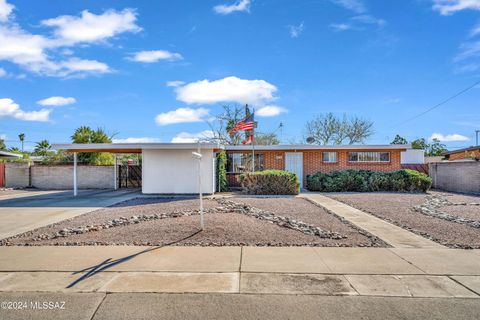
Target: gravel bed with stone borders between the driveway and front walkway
(232,221)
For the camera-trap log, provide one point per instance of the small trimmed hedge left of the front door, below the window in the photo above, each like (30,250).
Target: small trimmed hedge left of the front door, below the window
(270,182)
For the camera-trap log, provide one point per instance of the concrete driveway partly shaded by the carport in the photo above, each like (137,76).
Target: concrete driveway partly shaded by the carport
(25,210)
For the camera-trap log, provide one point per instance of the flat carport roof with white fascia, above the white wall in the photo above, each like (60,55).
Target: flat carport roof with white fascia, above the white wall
(131,147)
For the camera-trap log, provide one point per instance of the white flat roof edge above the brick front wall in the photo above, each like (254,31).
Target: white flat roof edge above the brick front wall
(321,147)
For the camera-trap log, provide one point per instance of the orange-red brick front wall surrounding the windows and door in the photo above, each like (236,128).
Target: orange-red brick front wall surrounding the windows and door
(312,162)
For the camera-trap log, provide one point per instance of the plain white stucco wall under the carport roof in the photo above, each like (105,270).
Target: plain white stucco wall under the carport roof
(175,171)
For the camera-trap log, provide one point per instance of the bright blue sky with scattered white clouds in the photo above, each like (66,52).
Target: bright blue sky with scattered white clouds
(157,70)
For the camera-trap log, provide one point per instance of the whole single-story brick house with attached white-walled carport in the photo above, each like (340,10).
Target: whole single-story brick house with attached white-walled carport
(171,168)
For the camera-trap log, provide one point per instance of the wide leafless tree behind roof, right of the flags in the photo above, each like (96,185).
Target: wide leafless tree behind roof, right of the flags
(330,129)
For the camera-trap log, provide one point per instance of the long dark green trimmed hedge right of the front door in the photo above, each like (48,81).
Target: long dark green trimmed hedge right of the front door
(365,181)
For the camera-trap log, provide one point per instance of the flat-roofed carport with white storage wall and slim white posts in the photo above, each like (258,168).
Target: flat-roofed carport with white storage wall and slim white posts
(168,168)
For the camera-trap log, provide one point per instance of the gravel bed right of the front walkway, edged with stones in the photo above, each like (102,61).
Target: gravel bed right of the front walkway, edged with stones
(447,218)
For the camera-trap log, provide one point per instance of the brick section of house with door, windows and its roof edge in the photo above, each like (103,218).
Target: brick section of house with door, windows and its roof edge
(309,159)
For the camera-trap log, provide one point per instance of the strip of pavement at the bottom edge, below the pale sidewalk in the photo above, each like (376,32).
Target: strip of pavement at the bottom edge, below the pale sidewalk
(143,306)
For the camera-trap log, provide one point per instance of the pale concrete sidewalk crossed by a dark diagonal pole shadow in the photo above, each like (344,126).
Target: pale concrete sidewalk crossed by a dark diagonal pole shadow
(437,273)
